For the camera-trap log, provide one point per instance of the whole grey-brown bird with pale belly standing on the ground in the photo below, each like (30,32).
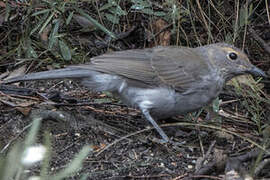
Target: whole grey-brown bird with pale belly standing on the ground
(162,81)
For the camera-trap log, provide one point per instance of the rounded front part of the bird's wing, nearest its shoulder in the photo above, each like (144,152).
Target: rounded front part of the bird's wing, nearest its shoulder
(179,68)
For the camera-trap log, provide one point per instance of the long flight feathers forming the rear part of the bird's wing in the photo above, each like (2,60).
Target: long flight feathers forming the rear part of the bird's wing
(134,64)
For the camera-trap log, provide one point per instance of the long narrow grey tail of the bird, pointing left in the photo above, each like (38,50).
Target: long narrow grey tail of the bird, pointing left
(69,73)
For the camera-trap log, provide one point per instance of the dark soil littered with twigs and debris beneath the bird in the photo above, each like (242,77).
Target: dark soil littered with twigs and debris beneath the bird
(123,142)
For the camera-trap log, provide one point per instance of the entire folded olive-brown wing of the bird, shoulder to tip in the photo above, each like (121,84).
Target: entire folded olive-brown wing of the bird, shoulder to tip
(172,66)
